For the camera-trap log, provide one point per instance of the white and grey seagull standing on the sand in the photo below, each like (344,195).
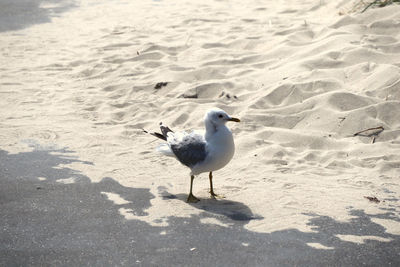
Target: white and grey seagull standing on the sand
(201,152)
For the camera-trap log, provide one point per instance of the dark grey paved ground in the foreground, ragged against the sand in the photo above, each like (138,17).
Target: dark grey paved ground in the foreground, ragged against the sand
(48,222)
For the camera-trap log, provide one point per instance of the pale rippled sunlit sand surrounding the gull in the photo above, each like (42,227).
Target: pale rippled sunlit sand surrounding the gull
(303,77)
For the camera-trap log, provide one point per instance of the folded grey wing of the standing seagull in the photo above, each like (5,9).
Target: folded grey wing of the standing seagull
(190,150)
